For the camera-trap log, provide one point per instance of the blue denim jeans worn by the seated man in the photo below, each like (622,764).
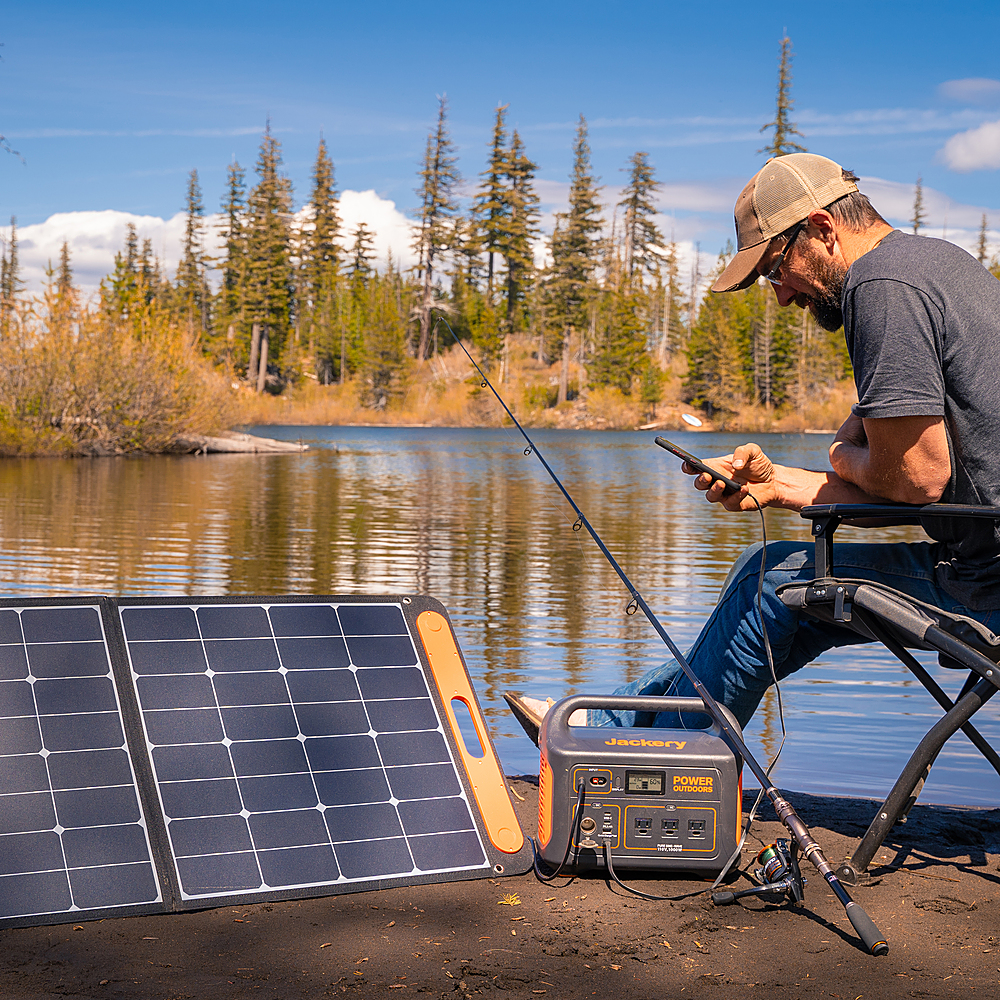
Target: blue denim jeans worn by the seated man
(729,656)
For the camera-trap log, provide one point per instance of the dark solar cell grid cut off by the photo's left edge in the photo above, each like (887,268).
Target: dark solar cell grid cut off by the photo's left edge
(72,833)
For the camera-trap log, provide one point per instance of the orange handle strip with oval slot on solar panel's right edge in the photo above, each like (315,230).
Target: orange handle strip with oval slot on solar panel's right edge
(485,773)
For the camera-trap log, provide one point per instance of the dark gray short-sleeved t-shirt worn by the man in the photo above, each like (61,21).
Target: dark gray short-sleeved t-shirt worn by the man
(922,321)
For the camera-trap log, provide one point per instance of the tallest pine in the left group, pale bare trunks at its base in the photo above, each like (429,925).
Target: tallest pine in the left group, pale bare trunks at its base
(269,285)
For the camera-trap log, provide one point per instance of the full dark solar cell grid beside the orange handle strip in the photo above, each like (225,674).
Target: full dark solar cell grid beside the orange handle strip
(295,745)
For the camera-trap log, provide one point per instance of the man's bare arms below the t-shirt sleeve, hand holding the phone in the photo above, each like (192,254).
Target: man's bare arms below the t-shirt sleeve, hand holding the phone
(901,459)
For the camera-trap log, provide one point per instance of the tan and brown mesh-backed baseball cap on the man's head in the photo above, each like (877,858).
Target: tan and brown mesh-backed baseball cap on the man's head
(783,192)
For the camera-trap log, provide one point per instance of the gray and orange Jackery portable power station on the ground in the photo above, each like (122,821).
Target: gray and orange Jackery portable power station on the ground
(659,798)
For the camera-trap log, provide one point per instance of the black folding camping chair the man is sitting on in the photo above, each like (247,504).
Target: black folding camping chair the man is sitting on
(898,621)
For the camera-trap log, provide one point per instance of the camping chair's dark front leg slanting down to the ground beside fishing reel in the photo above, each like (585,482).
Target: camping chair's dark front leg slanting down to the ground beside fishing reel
(913,774)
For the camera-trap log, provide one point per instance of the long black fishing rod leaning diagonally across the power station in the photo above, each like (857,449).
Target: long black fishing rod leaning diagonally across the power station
(870,935)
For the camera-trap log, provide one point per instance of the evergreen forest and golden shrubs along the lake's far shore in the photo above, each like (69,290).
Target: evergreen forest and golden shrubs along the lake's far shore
(591,325)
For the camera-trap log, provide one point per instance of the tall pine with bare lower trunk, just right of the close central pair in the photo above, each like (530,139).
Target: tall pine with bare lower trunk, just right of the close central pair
(576,250)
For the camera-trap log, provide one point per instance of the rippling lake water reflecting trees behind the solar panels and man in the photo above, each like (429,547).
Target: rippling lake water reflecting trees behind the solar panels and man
(464,516)
